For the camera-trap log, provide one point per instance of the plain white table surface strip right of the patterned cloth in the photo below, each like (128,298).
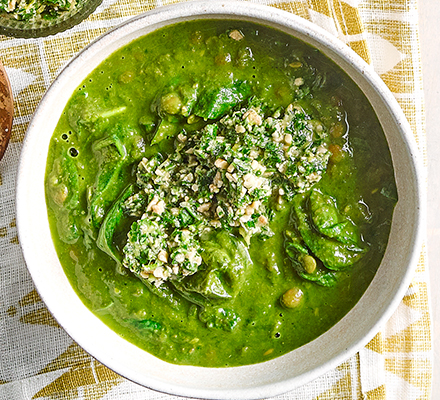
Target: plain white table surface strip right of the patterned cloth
(429,15)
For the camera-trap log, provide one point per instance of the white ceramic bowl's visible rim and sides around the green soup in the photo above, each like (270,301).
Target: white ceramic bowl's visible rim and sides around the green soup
(248,382)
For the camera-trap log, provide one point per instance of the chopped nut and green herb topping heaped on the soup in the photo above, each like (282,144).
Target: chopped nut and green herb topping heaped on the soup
(220,176)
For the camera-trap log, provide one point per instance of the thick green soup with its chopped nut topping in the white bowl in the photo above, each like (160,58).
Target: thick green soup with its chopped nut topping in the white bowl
(222,201)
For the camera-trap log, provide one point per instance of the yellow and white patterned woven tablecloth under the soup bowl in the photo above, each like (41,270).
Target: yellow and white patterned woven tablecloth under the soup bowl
(38,360)
